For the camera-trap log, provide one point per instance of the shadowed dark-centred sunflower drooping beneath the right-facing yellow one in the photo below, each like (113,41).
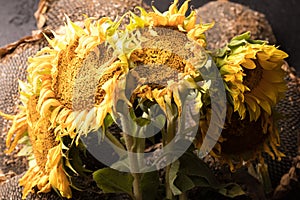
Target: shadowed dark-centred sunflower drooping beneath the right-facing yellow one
(244,141)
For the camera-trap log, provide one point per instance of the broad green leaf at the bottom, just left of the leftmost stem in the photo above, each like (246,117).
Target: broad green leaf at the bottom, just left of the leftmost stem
(113,181)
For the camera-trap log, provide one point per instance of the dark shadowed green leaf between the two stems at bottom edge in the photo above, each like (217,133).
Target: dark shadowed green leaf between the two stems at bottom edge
(150,183)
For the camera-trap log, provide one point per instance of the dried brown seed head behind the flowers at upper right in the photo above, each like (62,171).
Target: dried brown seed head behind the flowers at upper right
(232,19)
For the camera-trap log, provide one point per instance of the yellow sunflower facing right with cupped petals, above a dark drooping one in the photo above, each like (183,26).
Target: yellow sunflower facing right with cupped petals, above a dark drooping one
(252,72)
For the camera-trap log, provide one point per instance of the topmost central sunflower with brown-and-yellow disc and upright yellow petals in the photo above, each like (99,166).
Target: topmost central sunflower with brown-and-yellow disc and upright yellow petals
(159,48)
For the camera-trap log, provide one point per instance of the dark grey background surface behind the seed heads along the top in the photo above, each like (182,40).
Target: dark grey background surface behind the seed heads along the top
(17,20)
